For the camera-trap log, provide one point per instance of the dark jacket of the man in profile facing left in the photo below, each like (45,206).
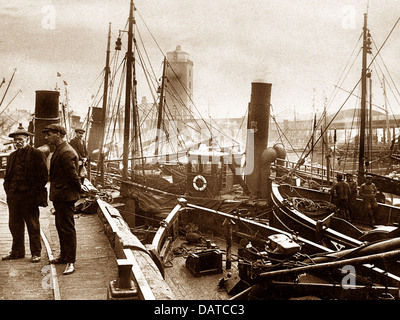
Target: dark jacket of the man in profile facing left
(65,183)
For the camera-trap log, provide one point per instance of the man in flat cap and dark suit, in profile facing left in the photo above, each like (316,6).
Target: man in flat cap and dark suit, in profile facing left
(65,187)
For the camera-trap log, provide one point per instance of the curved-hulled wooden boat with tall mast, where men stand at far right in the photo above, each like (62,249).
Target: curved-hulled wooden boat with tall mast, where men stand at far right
(310,195)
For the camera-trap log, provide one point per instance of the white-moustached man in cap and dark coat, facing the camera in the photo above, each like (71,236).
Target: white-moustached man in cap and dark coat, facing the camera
(25,179)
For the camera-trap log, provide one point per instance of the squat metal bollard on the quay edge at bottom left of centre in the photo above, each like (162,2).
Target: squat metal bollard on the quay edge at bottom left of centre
(123,288)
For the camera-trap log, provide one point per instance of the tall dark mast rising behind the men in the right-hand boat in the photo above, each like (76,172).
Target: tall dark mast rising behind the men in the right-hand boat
(363,104)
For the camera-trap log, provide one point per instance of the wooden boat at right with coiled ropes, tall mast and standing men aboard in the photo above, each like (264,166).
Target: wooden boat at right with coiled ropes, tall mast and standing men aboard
(308,209)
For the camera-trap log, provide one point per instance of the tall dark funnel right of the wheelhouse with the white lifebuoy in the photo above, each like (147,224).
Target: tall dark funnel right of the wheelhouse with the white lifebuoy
(257,135)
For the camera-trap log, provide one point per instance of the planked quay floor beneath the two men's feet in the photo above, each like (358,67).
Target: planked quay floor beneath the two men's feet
(94,269)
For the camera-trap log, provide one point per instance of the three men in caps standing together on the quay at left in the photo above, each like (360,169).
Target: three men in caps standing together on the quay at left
(25,182)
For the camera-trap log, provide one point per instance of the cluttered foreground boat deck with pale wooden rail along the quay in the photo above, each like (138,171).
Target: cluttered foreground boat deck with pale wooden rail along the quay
(241,258)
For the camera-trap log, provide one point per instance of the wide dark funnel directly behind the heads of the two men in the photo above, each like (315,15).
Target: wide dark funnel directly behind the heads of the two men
(46,112)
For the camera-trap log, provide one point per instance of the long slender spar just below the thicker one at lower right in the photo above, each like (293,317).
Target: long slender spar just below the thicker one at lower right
(391,255)
